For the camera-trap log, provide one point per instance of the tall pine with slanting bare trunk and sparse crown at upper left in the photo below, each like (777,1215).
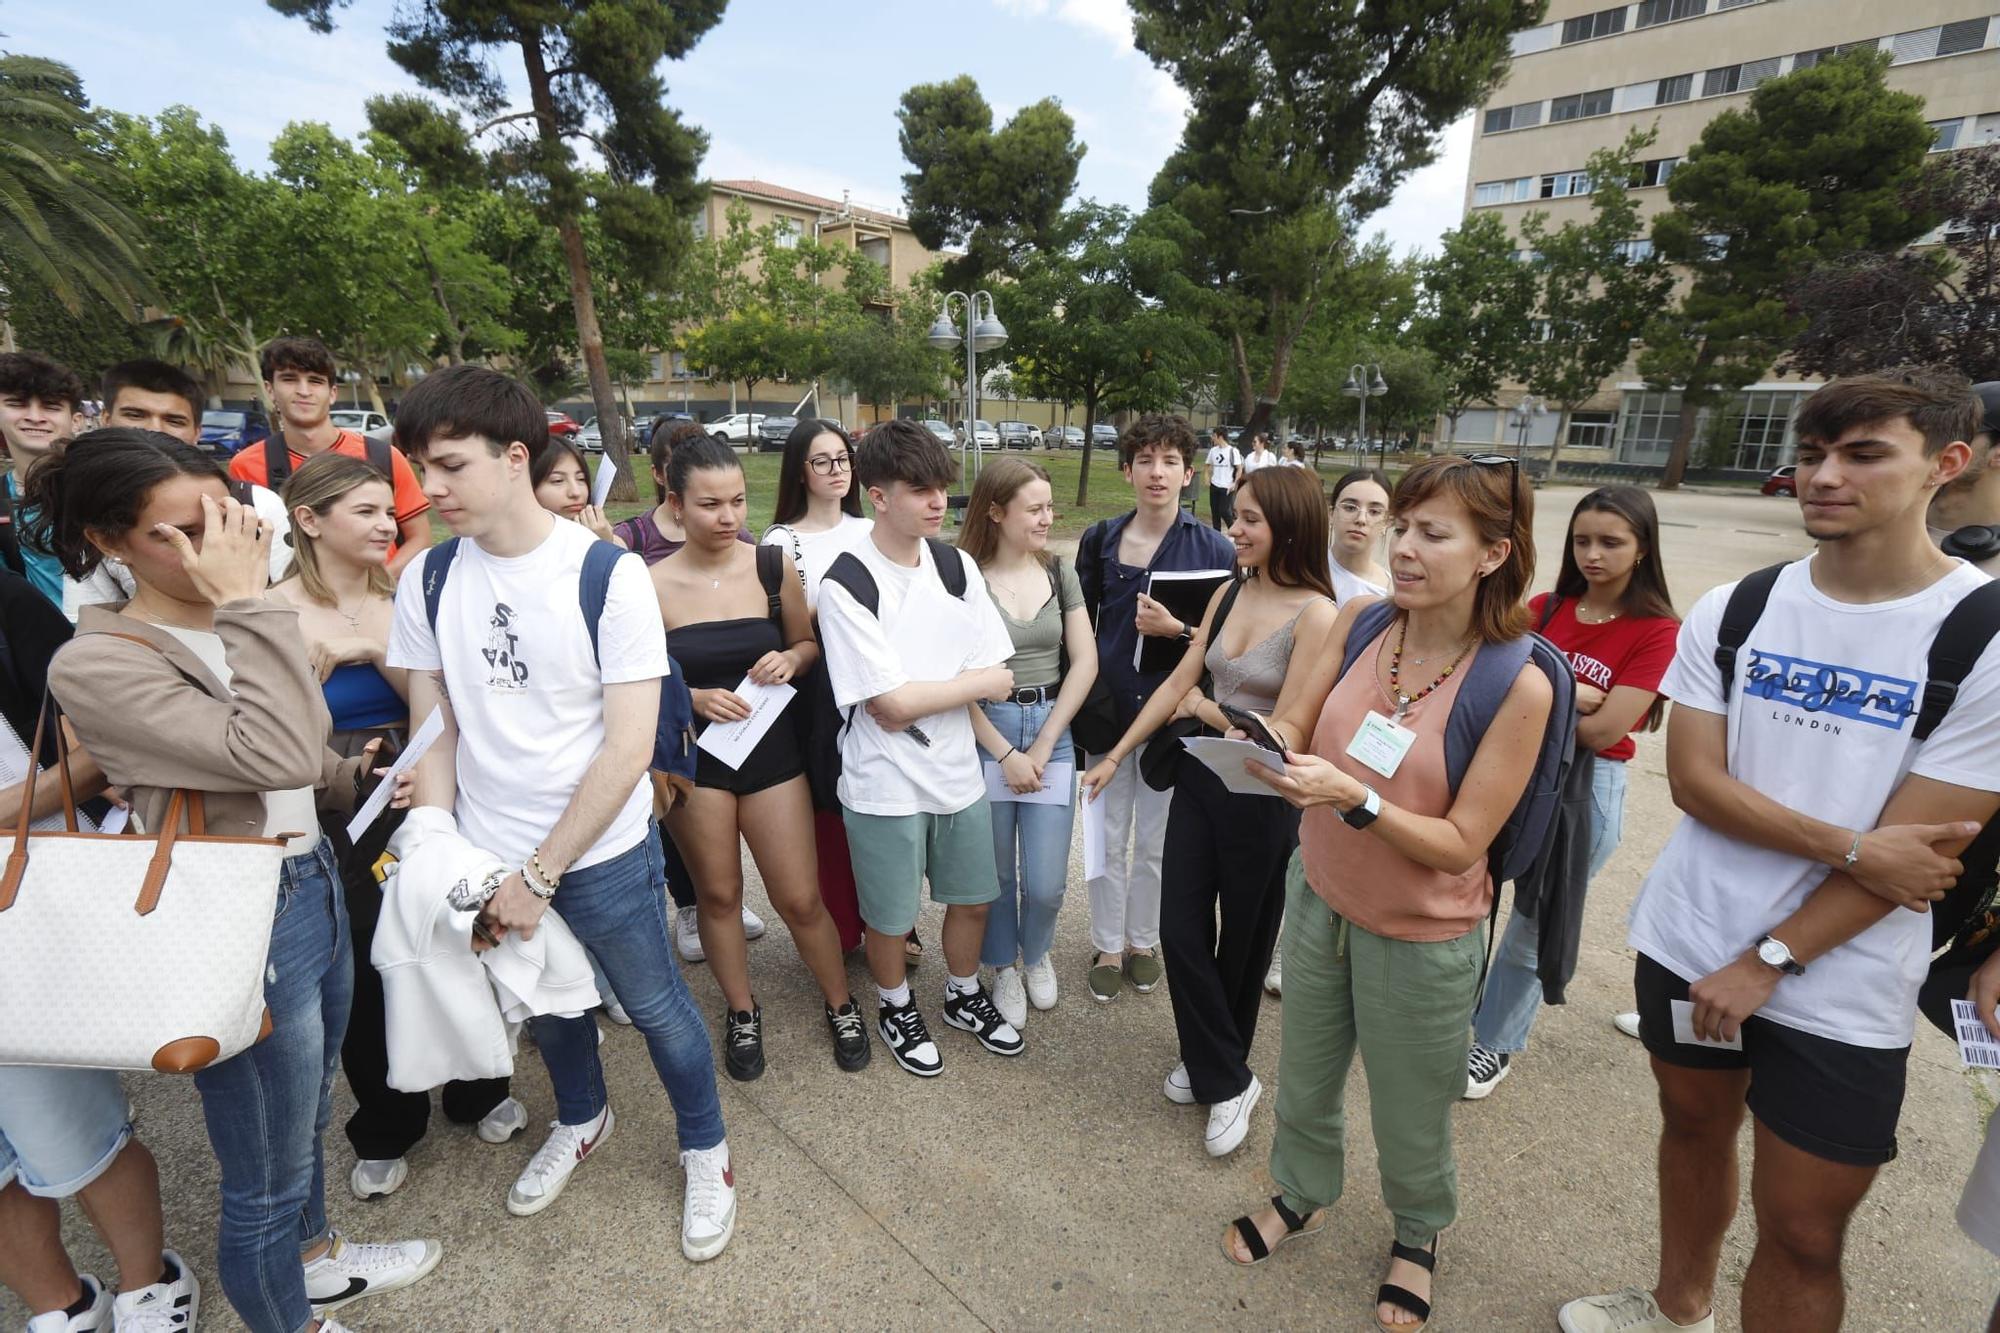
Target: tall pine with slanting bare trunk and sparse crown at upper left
(591,77)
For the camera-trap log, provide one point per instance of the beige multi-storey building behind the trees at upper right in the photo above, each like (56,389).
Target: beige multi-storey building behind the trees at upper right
(1597,71)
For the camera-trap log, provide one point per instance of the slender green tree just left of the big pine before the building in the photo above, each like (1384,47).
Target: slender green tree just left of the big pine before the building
(1595,291)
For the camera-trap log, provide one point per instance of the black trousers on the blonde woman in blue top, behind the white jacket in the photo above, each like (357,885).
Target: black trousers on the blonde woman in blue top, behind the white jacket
(387,1124)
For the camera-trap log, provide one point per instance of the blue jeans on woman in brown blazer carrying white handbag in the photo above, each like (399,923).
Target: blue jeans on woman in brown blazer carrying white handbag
(269,1108)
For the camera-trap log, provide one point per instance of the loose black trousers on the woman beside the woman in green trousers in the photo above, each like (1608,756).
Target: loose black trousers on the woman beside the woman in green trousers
(1221,906)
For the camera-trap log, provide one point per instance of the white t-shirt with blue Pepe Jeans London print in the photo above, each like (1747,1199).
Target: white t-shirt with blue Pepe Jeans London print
(1819,722)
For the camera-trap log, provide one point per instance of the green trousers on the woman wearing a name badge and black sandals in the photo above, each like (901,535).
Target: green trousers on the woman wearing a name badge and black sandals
(1407,1008)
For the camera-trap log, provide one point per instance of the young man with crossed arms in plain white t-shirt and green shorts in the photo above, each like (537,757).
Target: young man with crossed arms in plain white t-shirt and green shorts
(913,796)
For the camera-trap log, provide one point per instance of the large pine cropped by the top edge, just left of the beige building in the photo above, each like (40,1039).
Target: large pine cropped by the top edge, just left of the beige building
(1303,123)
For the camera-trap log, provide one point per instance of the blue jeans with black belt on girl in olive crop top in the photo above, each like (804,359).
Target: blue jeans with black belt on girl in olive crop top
(1031,852)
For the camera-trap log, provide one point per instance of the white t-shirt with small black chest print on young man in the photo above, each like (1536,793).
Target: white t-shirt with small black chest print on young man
(525,690)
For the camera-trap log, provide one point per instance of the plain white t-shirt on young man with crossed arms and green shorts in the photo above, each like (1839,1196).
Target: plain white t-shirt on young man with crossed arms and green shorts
(923,633)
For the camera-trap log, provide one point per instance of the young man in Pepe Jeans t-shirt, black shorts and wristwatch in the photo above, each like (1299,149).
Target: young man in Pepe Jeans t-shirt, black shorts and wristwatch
(1779,914)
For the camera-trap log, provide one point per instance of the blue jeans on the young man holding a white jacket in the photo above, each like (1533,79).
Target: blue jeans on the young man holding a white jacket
(619,912)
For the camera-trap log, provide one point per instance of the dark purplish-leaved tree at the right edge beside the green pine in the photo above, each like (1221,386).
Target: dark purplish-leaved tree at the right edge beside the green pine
(1935,307)
